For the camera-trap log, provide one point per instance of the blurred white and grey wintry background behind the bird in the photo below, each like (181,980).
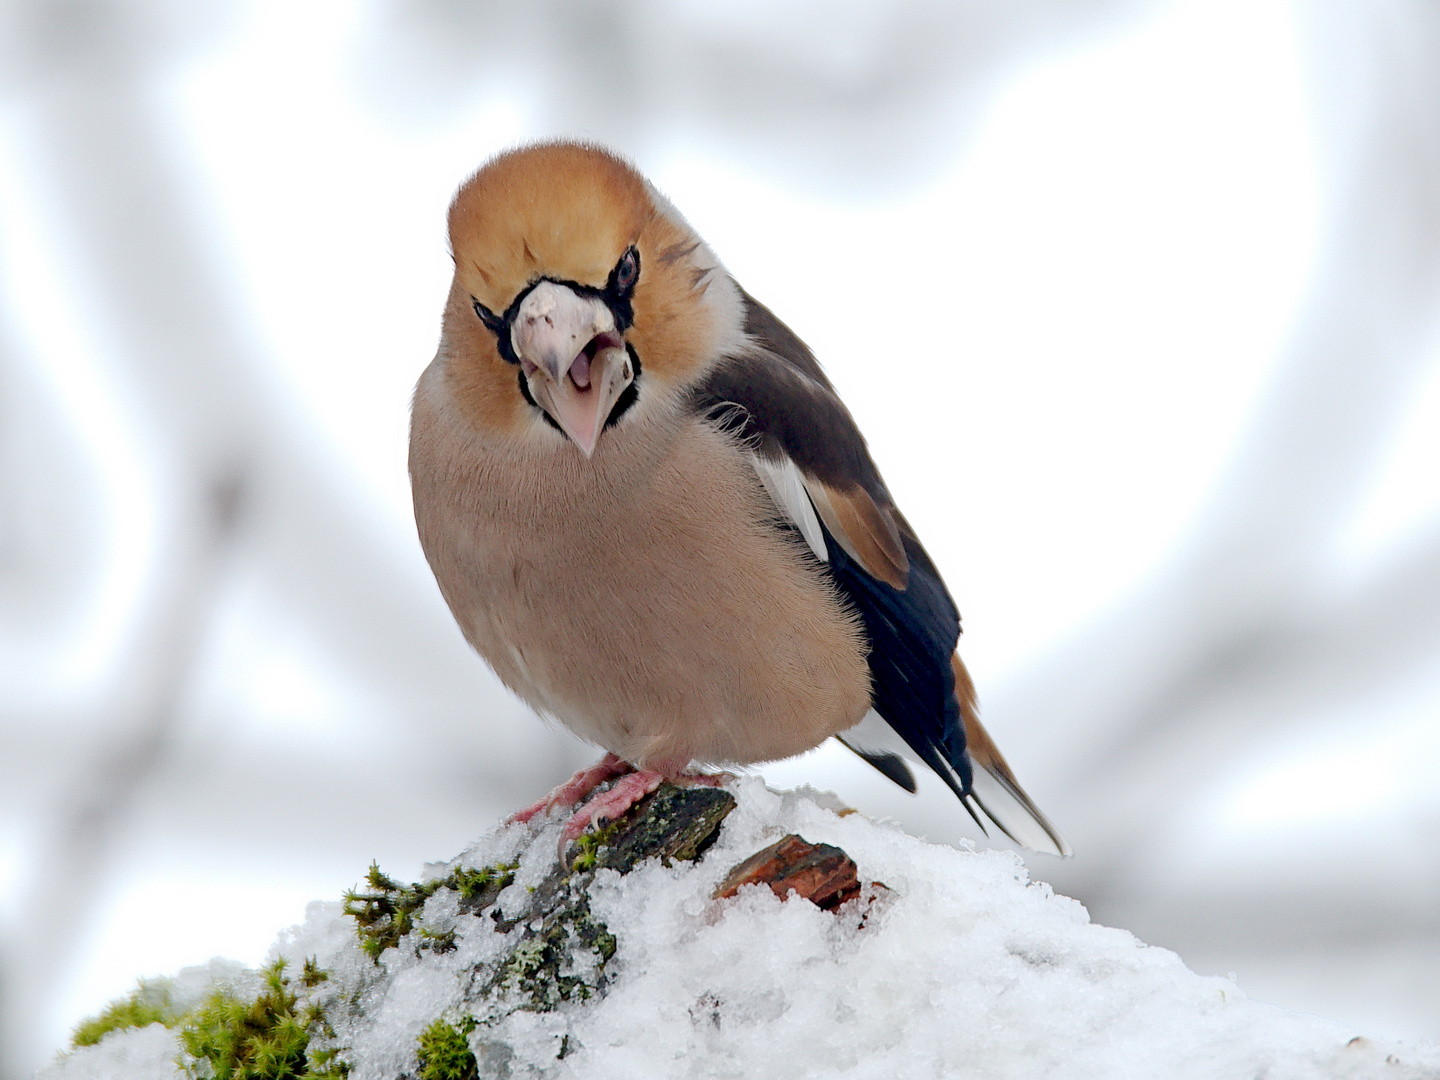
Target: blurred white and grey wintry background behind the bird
(1138,305)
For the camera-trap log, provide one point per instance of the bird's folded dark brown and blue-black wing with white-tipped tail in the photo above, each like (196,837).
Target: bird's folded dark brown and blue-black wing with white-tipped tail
(774,394)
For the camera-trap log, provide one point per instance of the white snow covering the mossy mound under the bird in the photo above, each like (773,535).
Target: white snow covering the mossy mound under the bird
(964,968)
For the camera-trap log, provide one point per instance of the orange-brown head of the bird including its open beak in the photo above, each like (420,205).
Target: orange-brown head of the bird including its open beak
(580,293)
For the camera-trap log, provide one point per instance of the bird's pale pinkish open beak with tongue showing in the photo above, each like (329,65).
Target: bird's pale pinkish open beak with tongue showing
(574,359)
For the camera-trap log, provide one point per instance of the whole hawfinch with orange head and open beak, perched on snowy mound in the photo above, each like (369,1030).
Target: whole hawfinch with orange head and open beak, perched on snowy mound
(653,516)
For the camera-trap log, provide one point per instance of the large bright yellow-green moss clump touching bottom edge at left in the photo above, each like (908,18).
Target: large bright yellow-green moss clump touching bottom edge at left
(267,1039)
